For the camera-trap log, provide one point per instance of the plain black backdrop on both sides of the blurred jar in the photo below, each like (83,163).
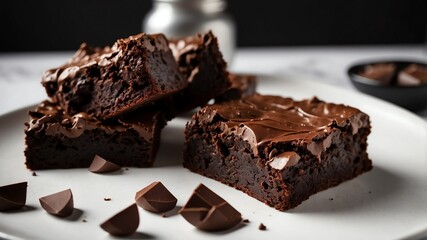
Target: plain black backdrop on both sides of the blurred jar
(48,25)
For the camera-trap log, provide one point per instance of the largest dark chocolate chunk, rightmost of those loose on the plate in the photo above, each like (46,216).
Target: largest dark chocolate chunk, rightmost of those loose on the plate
(209,212)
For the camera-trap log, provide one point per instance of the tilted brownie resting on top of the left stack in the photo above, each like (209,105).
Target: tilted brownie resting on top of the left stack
(107,82)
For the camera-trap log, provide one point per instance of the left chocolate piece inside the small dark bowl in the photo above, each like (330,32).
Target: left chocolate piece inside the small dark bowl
(381,72)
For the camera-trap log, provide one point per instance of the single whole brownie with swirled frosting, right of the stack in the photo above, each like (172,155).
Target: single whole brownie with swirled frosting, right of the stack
(278,150)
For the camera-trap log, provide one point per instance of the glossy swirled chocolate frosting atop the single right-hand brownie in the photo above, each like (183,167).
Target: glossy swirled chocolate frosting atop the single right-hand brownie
(271,119)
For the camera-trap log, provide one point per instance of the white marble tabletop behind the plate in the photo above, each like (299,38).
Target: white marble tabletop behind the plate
(20,73)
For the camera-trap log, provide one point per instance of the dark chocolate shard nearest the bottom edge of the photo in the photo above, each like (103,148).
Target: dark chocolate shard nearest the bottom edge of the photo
(123,223)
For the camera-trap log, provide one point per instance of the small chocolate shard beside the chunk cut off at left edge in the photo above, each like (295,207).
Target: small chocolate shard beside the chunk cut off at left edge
(60,204)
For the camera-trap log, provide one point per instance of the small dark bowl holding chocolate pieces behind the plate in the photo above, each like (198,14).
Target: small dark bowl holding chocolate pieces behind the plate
(413,98)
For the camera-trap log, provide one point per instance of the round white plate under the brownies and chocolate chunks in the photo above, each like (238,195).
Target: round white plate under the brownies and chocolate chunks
(389,202)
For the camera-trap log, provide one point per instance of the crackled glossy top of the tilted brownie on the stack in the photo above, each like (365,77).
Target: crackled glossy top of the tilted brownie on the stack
(88,56)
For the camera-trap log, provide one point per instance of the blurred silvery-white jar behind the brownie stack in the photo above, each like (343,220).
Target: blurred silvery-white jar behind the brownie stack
(180,18)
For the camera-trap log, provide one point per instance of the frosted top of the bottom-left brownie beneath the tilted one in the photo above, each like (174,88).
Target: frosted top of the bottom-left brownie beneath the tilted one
(51,119)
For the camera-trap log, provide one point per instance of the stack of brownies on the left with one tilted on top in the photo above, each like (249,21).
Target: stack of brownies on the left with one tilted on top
(114,101)
